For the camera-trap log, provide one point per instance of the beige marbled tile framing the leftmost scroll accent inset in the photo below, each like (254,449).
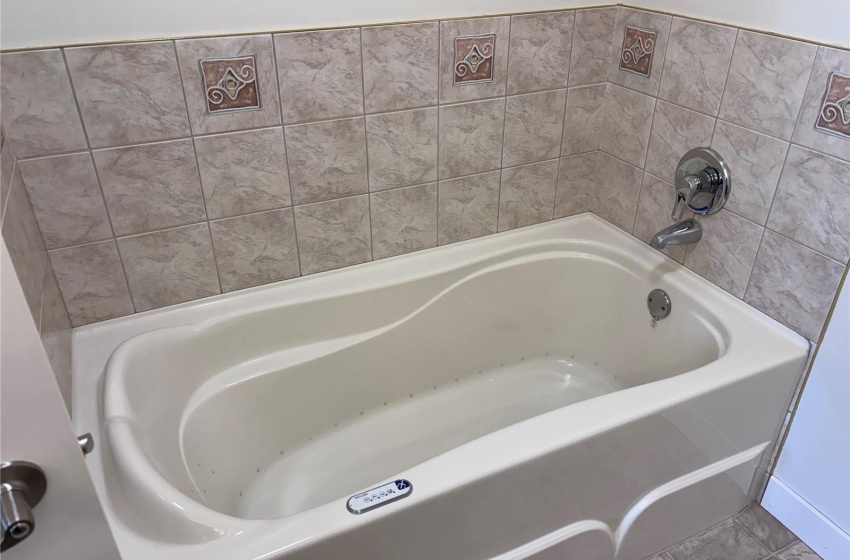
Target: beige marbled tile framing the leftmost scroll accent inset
(189,54)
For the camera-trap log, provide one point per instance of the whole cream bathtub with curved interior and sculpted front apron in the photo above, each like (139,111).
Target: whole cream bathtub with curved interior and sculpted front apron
(516,381)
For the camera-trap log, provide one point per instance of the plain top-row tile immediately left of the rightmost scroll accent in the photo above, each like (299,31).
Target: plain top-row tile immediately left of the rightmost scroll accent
(766,83)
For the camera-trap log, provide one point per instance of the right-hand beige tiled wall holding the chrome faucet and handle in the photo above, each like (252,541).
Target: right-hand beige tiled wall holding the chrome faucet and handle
(783,240)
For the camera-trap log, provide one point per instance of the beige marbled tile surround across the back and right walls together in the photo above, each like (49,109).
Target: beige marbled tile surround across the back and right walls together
(167,171)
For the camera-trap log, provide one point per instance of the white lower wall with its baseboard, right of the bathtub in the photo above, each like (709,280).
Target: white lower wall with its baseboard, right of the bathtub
(810,489)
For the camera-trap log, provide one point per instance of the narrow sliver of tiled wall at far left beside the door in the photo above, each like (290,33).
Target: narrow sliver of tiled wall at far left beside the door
(26,249)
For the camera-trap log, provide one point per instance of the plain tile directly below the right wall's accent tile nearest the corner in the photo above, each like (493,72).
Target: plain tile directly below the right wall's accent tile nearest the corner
(626,124)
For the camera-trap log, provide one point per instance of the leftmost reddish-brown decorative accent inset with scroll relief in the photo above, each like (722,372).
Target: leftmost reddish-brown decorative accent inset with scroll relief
(230,83)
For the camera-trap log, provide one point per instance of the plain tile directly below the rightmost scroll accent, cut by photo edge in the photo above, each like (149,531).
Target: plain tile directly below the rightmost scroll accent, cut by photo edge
(812,203)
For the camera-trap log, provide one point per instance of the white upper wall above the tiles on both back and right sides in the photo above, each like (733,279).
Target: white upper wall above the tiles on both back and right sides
(36,23)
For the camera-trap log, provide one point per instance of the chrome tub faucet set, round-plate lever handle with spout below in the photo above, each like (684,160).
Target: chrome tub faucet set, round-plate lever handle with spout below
(703,185)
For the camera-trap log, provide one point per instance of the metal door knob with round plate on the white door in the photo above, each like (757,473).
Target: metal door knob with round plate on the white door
(22,485)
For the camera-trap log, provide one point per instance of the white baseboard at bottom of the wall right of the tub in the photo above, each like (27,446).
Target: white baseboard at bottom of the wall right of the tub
(821,534)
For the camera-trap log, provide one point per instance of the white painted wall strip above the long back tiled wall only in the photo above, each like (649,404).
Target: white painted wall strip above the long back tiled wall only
(29,23)
